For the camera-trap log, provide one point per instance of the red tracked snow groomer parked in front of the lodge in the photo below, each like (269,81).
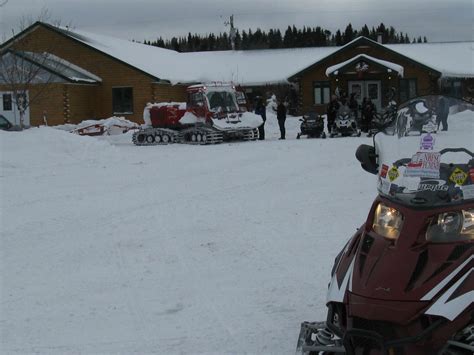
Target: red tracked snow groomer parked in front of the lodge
(211,115)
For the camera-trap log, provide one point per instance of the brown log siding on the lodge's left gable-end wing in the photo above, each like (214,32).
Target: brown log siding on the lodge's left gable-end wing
(88,102)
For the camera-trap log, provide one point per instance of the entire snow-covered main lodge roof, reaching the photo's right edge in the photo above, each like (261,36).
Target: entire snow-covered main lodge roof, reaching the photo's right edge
(260,67)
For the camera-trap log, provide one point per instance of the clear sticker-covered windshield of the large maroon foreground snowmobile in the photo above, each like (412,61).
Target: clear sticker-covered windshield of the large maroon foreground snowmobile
(426,157)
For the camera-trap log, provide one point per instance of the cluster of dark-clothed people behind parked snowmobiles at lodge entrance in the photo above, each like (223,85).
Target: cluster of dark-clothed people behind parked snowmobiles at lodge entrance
(366,110)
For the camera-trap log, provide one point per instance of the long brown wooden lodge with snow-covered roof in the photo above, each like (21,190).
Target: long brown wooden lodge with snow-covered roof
(91,76)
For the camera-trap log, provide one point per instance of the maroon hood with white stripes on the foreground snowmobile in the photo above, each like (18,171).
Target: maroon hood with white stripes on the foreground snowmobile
(383,273)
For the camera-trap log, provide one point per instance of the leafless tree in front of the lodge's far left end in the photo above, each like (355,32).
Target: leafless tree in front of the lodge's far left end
(21,69)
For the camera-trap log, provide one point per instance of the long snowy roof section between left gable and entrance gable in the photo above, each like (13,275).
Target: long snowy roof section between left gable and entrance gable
(252,67)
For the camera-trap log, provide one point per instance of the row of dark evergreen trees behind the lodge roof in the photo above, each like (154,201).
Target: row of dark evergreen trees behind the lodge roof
(292,38)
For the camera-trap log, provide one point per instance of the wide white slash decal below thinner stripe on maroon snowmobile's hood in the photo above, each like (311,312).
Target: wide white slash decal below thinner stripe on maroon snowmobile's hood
(451,308)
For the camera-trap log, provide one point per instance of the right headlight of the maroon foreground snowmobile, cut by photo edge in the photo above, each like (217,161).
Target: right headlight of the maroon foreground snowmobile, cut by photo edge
(451,227)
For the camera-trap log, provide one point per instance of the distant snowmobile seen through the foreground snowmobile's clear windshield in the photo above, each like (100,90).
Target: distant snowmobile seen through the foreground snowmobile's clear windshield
(418,118)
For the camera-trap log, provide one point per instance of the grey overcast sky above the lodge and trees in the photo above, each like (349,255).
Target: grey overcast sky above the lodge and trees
(439,20)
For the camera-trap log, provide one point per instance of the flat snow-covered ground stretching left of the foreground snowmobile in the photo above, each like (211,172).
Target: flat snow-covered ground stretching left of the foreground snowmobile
(111,248)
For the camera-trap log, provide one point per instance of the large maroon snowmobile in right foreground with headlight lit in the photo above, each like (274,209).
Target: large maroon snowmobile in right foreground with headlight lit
(404,282)
